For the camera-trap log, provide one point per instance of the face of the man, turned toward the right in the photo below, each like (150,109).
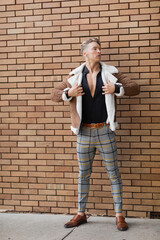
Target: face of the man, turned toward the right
(92,52)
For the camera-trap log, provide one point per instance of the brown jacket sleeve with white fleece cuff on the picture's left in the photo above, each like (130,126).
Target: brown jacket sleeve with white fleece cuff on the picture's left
(58,93)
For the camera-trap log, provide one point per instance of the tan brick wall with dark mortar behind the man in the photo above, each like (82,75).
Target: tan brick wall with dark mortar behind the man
(39,45)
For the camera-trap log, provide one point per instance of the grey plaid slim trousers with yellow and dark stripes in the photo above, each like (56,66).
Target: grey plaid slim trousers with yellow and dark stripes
(102,139)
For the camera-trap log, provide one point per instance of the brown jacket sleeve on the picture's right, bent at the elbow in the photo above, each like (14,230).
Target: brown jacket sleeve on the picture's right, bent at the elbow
(131,88)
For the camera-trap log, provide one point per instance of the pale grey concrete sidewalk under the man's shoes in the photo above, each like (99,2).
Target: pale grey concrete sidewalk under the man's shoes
(14,226)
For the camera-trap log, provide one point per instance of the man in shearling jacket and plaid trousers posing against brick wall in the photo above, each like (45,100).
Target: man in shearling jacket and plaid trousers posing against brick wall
(91,90)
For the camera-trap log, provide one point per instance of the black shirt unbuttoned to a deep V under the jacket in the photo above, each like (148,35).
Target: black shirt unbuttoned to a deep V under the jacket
(94,108)
